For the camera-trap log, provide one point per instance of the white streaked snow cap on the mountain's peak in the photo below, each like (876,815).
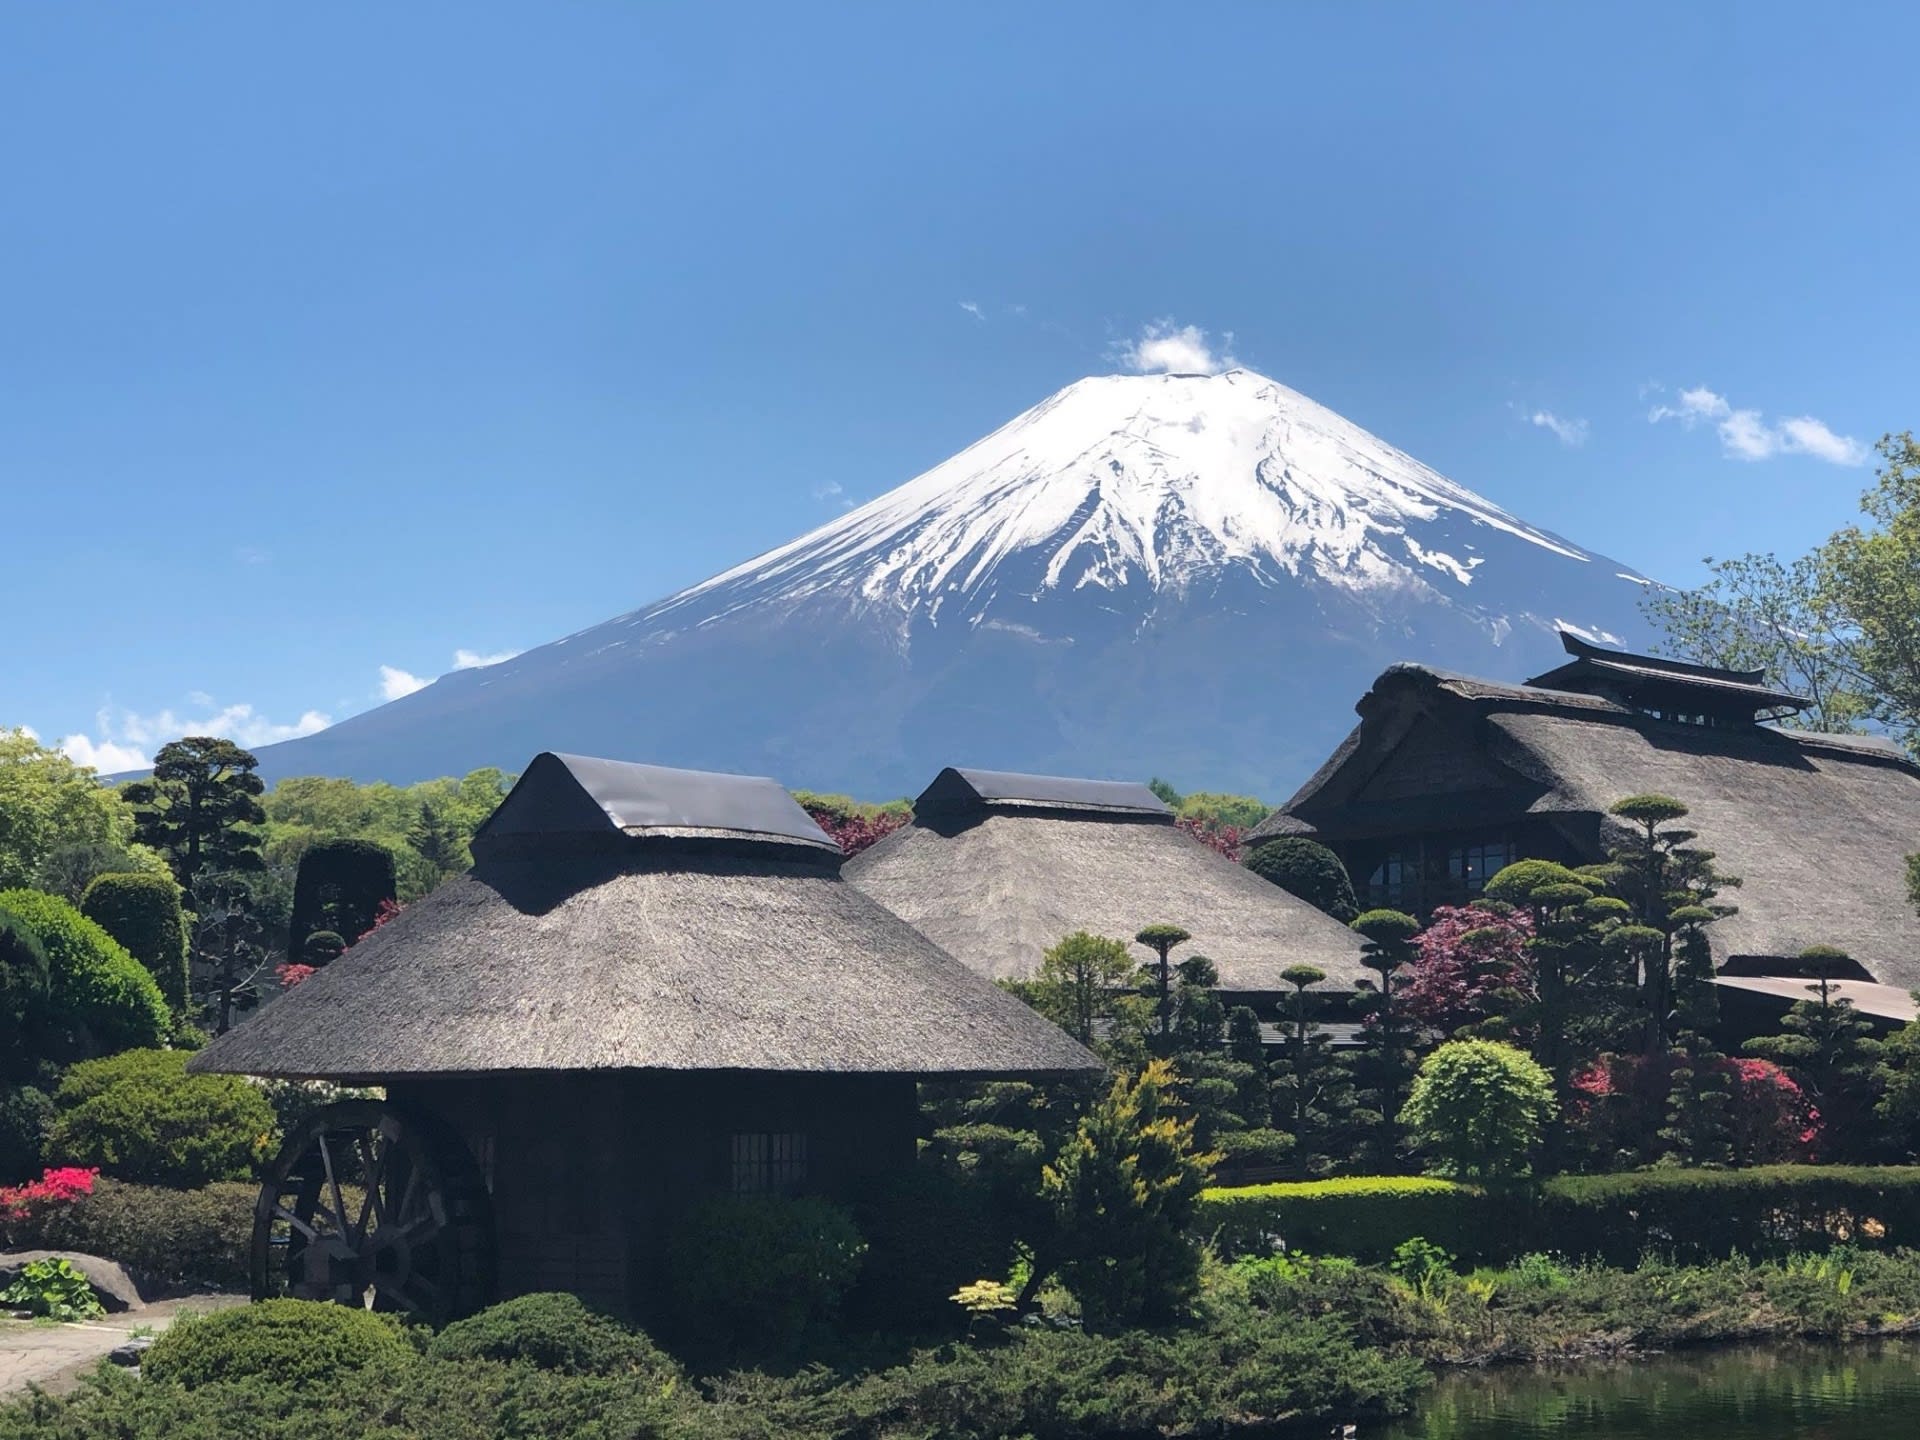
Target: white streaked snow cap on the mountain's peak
(1141,481)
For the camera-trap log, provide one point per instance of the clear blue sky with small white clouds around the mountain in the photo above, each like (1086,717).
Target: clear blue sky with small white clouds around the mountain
(358,337)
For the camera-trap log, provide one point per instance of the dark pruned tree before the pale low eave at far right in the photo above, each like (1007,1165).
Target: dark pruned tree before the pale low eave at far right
(1831,1051)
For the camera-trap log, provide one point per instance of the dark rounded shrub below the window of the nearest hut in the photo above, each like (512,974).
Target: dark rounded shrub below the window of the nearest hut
(757,1272)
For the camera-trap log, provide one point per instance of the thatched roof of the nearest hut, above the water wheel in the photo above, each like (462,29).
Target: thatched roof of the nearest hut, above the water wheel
(631,919)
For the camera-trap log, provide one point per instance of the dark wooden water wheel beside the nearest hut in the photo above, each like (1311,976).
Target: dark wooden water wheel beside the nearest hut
(381,1209)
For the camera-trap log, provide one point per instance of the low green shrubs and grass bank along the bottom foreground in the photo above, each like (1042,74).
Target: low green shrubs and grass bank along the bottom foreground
(1276,1347)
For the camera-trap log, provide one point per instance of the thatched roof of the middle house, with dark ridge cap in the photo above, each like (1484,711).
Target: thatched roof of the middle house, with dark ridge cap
(997,869)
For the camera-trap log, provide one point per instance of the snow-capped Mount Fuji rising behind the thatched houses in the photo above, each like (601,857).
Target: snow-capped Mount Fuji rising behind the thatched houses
(1182,575)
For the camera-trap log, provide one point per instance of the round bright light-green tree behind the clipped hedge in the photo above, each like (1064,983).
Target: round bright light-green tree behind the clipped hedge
(1479,1111)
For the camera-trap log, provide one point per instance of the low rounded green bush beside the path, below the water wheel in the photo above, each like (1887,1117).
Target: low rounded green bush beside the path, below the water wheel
(295,1343)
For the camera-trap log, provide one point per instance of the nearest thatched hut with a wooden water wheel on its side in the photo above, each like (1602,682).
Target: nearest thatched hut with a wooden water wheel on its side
(652,988)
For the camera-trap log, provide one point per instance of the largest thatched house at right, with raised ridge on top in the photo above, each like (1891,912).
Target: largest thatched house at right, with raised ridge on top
(1449,779)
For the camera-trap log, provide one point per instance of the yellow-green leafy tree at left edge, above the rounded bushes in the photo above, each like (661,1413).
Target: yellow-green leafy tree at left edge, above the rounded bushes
(57,815)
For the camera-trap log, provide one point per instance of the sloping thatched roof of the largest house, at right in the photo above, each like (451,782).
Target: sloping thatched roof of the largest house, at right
(1815,827)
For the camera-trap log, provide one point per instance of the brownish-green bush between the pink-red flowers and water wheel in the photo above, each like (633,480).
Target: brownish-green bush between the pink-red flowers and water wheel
(168,1239)
